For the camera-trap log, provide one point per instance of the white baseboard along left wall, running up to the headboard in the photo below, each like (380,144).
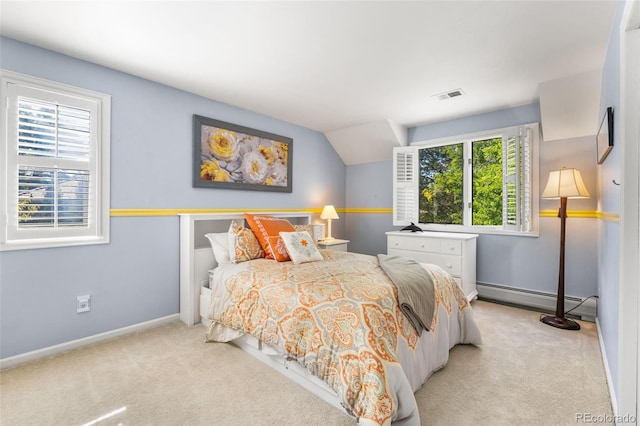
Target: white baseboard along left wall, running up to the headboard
(74,344)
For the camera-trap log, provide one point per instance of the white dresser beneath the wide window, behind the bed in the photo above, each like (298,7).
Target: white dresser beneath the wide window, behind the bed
(455,253)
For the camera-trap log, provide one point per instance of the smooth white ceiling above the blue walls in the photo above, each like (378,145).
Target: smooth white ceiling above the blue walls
(331,65)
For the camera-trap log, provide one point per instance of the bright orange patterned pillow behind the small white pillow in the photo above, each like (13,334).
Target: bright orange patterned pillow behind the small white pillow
(267,230)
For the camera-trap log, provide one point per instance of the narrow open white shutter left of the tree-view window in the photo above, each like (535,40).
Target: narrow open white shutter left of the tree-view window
(405,185)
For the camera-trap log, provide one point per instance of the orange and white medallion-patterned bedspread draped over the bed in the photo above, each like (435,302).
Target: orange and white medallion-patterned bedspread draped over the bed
(339,318)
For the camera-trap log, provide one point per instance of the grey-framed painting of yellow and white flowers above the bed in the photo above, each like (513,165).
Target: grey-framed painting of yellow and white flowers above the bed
(230,156)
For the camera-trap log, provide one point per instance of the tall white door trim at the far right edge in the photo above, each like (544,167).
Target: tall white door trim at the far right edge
(628,339)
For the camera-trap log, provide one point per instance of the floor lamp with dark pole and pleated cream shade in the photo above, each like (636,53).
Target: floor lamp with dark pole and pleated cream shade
(563,184)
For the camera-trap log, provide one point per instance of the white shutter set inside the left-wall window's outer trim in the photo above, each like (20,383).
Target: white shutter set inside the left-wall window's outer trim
(52,140)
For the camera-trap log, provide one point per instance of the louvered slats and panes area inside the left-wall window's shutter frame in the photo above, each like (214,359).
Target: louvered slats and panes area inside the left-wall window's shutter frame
(49,195)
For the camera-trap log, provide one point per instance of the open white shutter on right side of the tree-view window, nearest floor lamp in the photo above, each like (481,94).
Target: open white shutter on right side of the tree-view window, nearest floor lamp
(516,183)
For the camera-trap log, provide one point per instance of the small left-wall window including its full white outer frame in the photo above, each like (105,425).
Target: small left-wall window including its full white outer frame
(55,179)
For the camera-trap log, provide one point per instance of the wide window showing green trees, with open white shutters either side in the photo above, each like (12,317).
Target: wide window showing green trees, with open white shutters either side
(476,183)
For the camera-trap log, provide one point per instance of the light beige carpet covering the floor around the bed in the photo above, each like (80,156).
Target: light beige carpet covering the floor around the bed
(525,373)
